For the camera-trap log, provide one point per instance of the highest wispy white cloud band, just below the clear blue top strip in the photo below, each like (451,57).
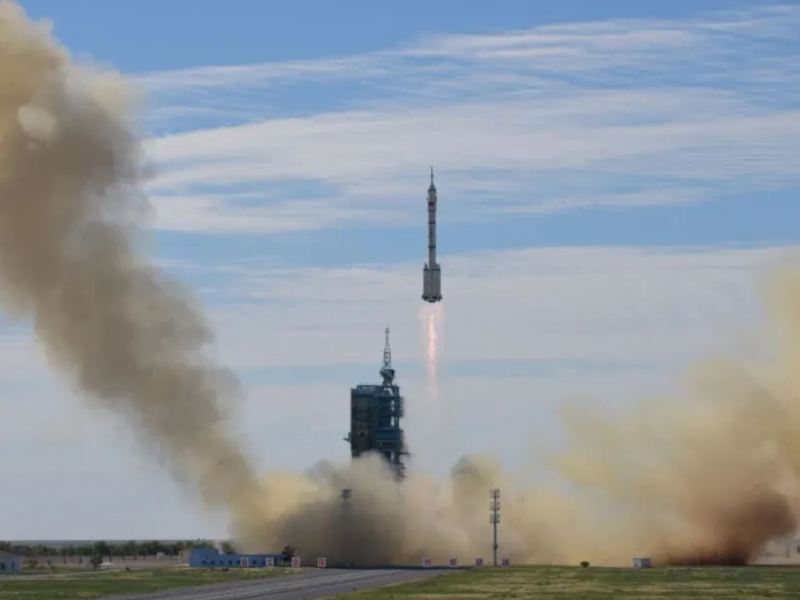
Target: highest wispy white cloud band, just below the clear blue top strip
(561,48)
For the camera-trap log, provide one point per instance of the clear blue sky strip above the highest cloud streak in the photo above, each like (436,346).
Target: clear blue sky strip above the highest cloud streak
(181,34)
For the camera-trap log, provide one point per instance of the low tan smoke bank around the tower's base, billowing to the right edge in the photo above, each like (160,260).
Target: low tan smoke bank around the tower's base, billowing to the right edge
(708,476)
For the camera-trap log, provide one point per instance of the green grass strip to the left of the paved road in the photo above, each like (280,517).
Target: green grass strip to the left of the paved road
(89,585)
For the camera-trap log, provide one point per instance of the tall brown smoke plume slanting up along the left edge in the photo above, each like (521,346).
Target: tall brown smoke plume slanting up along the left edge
(69,196)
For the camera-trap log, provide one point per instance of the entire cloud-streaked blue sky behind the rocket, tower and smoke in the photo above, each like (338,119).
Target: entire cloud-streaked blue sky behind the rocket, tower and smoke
(615,179)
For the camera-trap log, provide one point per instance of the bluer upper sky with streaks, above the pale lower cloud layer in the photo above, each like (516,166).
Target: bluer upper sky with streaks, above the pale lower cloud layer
(673,93)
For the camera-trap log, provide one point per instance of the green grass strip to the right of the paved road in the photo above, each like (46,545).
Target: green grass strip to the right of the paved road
(561,583)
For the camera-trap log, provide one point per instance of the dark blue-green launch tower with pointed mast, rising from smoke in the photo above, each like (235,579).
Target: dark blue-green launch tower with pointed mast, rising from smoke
(375,412)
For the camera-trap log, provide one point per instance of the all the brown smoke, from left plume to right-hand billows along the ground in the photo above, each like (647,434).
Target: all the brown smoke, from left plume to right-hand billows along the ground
(707,477)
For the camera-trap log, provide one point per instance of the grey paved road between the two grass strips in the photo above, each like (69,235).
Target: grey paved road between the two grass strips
(309,584)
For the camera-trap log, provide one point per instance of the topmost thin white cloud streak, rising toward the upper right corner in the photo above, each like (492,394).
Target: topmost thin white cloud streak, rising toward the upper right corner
(572,44)
